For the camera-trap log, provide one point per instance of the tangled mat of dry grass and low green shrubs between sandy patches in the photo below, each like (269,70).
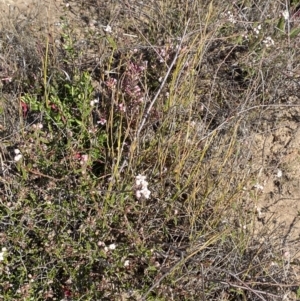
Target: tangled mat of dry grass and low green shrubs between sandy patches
(179,89)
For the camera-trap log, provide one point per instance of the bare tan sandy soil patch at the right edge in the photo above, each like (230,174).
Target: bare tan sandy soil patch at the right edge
(276,153)
